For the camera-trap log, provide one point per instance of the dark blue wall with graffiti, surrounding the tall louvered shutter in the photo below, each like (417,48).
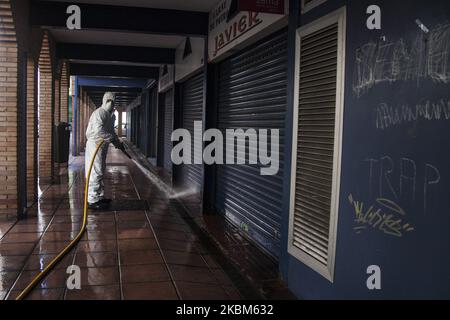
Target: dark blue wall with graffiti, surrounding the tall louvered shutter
(410,158)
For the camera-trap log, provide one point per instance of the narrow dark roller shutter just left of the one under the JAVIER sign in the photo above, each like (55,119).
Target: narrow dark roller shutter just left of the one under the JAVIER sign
(192,99)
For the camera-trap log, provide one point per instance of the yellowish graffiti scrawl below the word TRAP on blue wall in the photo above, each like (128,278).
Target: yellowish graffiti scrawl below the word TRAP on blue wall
(385,216)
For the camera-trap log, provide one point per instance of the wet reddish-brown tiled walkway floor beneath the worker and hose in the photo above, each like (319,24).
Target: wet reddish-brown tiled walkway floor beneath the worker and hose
(124,254)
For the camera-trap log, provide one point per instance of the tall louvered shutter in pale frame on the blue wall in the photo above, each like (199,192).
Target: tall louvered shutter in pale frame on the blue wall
(315,158)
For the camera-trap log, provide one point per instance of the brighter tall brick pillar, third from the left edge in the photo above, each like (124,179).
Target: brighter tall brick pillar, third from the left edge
(45,113)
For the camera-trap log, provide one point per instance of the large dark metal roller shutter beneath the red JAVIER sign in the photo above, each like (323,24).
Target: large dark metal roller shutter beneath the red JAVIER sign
(252,94)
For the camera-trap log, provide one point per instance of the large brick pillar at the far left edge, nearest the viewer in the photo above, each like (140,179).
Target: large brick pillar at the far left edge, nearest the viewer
(8,113)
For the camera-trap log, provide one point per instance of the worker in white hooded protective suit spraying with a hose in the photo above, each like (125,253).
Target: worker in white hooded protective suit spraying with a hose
(100,127)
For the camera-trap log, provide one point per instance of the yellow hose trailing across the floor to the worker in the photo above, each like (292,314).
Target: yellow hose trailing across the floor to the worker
(61,255)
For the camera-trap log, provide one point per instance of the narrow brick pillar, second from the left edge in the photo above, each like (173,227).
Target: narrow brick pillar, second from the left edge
(31,131)
